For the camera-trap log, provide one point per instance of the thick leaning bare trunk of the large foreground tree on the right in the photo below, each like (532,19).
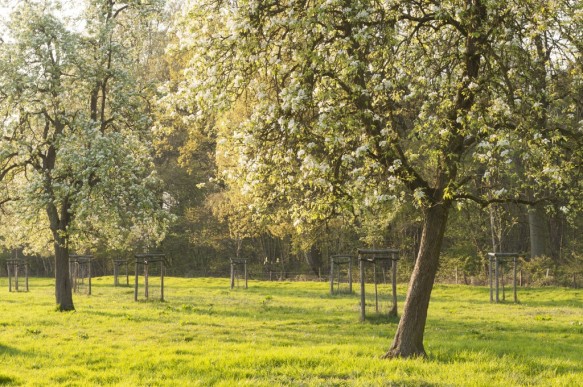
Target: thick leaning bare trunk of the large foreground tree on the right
(408,341)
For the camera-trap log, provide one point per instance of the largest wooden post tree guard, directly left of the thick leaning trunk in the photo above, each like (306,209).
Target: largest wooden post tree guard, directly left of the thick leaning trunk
(380,260)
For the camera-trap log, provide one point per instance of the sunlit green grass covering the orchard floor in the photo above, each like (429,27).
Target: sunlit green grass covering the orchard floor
(281,333)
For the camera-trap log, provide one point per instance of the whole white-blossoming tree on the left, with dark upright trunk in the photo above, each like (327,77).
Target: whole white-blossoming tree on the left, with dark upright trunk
(76,131)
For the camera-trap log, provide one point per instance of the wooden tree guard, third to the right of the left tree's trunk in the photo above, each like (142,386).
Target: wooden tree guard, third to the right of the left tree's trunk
(152,266)
